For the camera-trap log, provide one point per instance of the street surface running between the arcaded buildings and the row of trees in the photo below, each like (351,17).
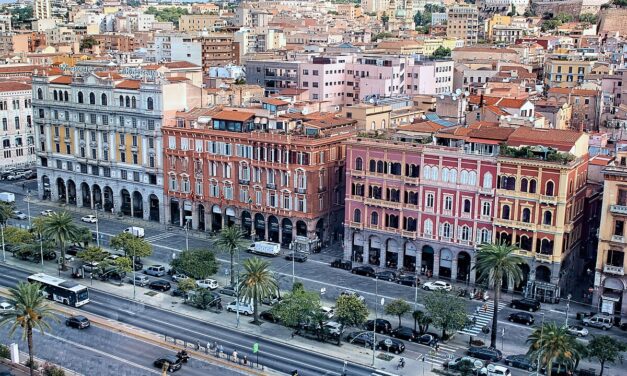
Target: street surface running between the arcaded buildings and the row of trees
(316,274)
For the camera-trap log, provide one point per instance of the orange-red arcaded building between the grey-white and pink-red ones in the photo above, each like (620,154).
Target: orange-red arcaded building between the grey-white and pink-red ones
(226,167)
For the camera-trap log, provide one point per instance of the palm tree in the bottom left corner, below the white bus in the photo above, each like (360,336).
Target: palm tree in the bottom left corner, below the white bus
(32,311)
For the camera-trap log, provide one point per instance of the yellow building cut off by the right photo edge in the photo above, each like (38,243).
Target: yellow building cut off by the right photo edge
(609,280)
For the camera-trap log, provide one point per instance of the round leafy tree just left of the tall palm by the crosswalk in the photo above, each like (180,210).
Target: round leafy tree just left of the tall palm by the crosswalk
(447,312)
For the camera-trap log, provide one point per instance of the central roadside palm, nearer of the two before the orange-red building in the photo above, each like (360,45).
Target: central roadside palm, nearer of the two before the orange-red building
(257,282)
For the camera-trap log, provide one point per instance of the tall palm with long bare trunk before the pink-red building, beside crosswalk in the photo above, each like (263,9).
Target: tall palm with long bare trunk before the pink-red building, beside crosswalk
(496,262)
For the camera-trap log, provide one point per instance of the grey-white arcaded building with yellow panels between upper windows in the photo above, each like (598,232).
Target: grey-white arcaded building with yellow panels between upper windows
(98,137)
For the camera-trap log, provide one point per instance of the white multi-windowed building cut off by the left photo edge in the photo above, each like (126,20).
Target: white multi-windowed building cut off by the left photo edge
(18,142)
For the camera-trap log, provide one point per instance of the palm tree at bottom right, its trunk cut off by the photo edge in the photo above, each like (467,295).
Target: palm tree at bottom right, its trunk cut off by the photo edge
(550,343)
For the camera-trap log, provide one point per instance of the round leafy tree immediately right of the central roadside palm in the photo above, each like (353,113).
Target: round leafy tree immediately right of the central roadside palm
(297,307)
